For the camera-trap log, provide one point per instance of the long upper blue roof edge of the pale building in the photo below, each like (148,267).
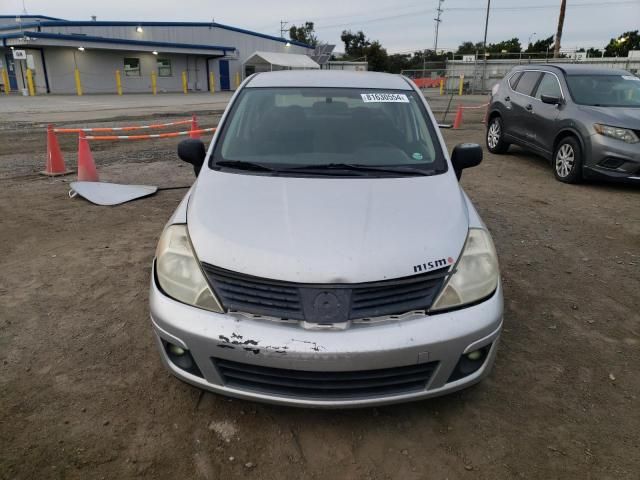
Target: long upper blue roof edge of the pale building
(91,23)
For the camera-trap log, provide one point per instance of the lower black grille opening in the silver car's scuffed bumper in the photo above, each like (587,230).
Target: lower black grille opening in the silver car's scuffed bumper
(325,385)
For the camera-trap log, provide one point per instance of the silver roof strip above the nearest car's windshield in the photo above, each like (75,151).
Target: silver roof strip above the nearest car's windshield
(329,78)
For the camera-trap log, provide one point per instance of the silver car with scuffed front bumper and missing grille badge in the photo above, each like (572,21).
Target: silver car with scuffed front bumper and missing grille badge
(326,255)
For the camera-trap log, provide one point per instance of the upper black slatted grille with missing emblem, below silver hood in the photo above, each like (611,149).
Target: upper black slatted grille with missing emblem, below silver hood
(324,304)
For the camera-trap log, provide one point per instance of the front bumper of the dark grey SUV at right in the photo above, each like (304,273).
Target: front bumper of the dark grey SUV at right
(612,159)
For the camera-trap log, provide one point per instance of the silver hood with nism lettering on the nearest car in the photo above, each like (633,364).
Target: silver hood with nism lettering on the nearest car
(327,230)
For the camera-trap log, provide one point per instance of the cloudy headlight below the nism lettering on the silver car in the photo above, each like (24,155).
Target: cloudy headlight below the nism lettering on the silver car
(476,275)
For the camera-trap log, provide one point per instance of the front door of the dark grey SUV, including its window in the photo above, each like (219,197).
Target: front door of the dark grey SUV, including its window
(543,116)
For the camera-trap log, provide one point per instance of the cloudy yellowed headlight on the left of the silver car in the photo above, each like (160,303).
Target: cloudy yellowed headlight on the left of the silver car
(179,273)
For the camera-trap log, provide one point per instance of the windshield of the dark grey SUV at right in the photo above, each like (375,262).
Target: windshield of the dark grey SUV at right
(605,90)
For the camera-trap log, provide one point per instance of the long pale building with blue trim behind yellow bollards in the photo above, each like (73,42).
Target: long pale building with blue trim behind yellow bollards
(59,53)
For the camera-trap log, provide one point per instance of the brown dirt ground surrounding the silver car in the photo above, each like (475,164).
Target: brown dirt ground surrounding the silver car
(83,393)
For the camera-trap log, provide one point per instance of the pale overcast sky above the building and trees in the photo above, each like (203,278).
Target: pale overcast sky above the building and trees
(400,25)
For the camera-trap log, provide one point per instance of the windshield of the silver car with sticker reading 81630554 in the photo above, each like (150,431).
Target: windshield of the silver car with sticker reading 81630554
(306,129)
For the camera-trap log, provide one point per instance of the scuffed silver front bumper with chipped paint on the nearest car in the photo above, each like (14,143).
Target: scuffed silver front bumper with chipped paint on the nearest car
(441,339)
